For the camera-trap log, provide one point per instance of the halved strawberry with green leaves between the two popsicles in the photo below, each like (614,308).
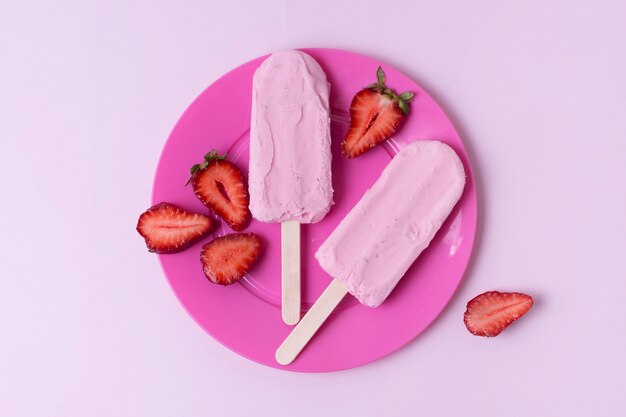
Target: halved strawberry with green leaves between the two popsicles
(375,113)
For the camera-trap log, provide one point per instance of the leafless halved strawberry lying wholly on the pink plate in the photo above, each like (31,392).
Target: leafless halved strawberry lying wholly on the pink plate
(226,259)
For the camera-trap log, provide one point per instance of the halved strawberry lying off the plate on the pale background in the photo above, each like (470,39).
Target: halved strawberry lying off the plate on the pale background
(491,312)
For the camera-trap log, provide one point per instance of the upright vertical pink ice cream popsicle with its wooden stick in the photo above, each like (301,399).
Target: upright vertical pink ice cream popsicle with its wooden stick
(290,160)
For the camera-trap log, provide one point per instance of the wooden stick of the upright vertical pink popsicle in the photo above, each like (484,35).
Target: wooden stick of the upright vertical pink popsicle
(290,248)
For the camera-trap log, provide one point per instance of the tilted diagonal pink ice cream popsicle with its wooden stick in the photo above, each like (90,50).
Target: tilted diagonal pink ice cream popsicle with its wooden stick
(383,234)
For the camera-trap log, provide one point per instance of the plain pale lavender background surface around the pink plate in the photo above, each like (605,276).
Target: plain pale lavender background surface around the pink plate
(88,94)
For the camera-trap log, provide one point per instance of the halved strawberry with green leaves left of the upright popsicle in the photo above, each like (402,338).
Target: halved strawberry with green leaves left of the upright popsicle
(220,186)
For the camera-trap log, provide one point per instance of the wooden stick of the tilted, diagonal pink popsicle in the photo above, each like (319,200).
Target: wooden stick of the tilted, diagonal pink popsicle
(311,322)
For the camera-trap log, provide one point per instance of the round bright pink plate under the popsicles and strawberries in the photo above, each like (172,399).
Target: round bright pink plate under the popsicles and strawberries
(246,316)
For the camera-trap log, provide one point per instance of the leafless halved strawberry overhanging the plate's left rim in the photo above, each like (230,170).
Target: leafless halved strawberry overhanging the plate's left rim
(169,229)
